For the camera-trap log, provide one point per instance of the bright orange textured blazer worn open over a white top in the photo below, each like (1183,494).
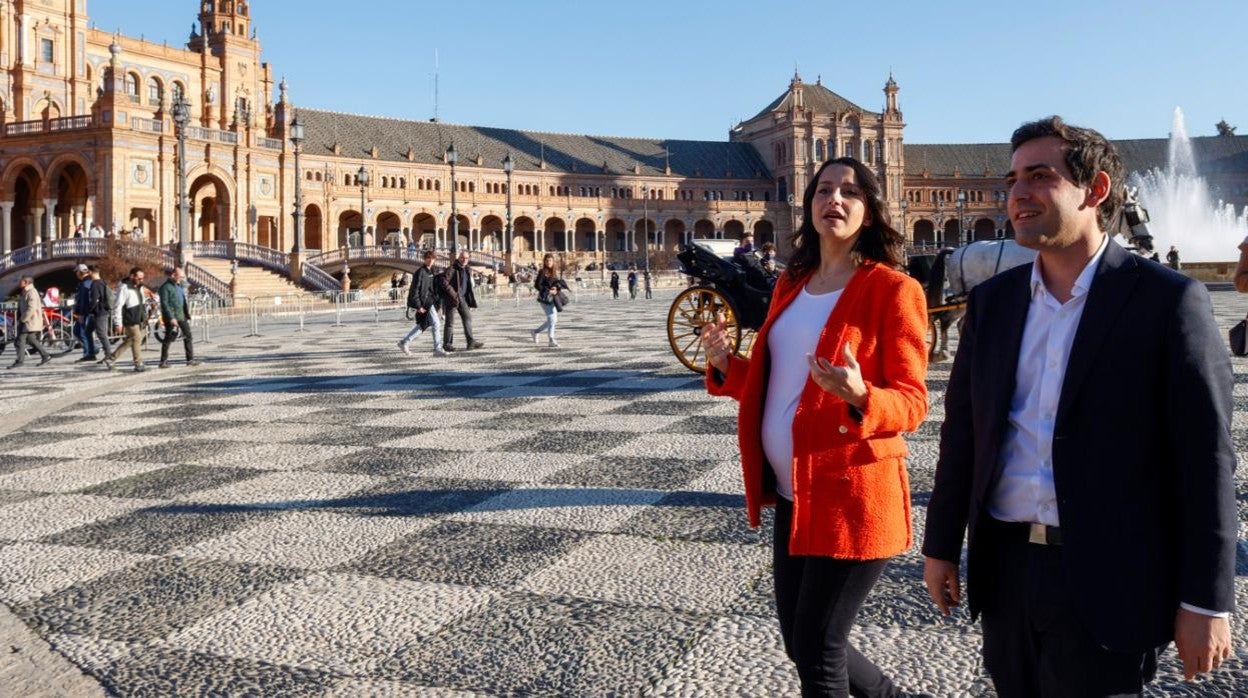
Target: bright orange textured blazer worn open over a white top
(852,495)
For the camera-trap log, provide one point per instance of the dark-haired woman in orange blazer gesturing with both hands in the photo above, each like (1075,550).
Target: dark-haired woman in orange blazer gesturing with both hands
(836,379)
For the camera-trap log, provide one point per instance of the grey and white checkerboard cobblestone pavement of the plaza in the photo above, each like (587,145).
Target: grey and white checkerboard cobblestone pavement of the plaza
(319,515)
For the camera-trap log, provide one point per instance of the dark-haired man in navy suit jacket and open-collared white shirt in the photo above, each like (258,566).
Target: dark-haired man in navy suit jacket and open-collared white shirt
(1086,449)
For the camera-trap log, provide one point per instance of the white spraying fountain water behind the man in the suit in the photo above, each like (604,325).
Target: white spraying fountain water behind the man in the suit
(1184,210)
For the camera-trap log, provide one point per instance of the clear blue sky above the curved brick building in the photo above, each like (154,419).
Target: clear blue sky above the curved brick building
(970,72)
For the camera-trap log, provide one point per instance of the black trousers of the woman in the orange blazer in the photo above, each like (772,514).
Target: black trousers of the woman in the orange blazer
(818,600)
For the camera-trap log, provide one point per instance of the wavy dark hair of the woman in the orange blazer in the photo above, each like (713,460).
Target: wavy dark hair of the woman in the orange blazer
(878,240)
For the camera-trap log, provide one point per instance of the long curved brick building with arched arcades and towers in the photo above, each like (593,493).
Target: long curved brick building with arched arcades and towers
(87,135)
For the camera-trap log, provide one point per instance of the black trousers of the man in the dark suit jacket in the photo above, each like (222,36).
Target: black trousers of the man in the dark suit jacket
(1035,645)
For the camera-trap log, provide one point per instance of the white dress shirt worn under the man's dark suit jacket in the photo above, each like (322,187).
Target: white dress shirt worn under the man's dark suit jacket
(1026,491)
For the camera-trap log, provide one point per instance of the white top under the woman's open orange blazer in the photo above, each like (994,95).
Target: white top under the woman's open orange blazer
(793,337)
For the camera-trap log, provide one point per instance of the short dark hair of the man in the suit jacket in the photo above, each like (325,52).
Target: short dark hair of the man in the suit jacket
(1086,154)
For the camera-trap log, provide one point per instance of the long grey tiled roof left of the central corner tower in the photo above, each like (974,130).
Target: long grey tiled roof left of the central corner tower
(563,153)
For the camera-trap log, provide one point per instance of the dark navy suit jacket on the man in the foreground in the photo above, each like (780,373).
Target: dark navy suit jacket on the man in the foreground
(1143,453)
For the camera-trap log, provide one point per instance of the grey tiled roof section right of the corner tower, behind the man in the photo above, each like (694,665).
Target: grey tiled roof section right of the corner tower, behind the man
(1214,154)
